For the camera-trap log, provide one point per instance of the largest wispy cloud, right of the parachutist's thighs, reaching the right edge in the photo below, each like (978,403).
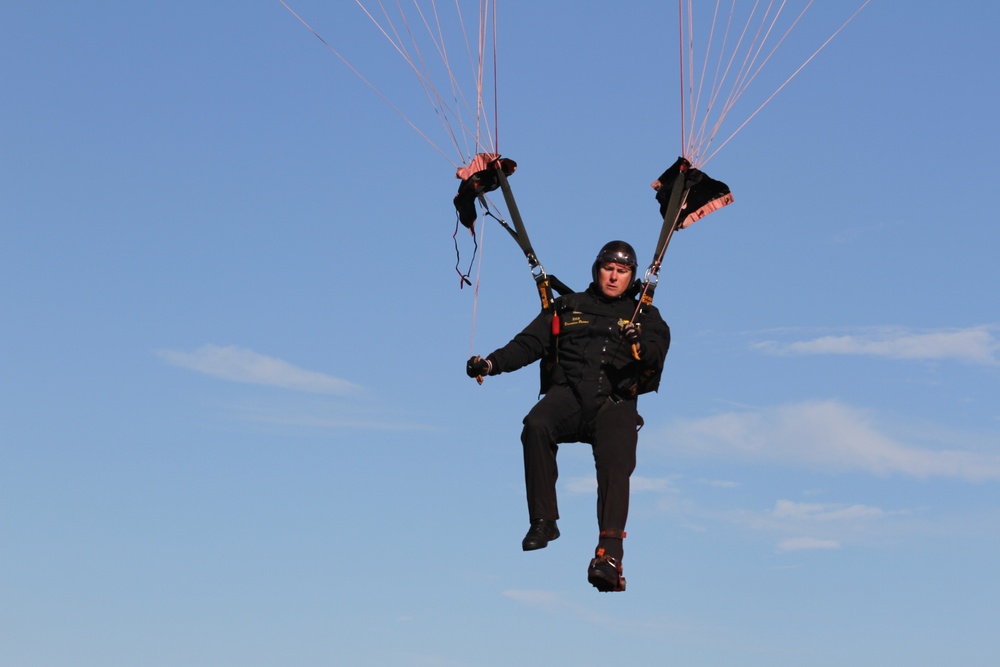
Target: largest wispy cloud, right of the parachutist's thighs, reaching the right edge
(823,434)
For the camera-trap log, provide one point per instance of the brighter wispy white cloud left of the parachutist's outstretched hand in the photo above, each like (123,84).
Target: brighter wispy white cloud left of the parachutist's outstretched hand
(240,364)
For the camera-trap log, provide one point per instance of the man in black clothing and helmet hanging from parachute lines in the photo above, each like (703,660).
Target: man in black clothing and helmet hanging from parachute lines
(595,362)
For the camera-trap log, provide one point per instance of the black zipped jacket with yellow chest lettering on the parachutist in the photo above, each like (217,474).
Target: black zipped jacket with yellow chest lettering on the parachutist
(589,355)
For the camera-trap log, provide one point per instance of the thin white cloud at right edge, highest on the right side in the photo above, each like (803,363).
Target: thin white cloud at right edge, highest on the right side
(975,345)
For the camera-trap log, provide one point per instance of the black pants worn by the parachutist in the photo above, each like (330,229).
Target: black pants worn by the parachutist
(611,428)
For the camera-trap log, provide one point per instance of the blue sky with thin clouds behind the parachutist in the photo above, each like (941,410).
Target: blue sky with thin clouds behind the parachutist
(235,426)
